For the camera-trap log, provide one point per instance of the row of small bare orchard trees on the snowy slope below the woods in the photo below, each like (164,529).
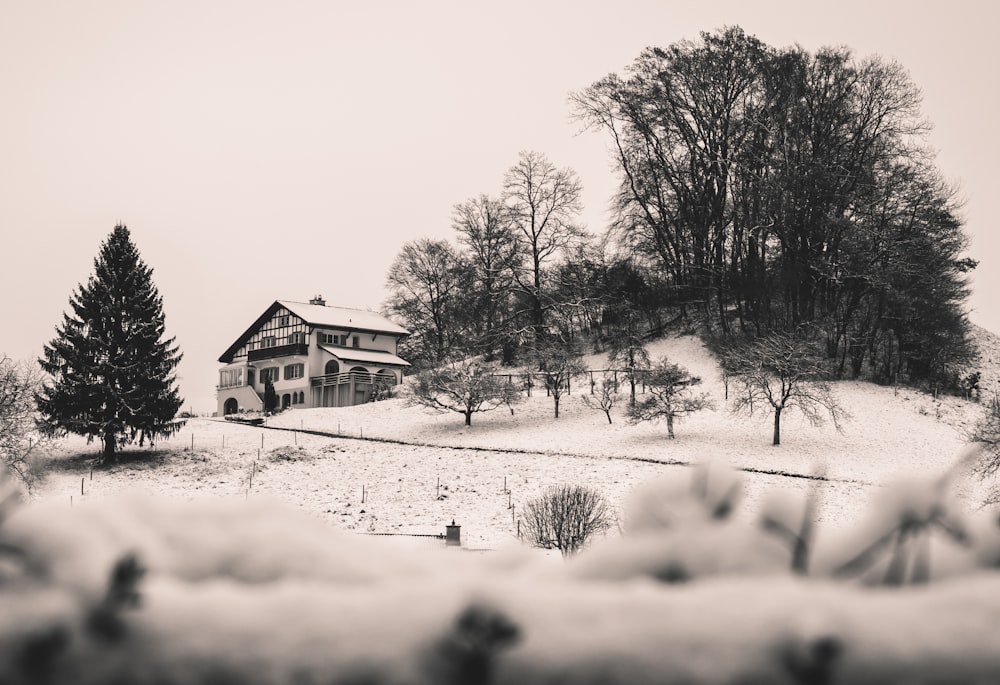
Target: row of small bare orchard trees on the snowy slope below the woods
(770,374)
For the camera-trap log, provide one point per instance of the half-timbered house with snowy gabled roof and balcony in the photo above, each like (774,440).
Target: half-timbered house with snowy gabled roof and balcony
(315,356)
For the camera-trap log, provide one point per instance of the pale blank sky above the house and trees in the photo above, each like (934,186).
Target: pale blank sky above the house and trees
(278,150)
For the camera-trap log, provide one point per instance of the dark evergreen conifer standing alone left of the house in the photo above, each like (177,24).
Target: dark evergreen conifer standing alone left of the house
(112,373)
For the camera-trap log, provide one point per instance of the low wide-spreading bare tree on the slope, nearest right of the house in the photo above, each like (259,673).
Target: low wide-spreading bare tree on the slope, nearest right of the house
(465,388)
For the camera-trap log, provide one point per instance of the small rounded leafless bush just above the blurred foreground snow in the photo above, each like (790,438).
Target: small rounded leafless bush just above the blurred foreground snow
(565,517)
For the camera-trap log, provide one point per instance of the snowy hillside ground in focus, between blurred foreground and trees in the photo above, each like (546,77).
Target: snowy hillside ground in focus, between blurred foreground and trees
(371,486)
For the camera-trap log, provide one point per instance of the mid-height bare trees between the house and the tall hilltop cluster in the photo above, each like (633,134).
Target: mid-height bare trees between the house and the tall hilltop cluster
(494,291)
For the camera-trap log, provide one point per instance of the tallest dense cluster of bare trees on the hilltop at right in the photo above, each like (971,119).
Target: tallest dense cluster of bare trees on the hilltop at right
(776,188)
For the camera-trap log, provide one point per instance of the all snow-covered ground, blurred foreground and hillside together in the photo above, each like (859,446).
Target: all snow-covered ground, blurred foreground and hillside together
(232,554)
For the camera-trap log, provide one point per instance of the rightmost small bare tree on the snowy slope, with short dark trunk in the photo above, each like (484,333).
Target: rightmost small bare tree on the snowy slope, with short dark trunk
(778,371)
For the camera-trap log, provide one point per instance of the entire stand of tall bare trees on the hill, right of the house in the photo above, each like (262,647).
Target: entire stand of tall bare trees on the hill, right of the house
(770,191)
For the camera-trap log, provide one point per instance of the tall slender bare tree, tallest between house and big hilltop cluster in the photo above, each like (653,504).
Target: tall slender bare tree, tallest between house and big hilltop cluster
(544,203)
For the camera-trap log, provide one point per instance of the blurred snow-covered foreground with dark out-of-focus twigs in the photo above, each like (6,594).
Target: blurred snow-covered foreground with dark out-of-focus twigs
(153,590)
